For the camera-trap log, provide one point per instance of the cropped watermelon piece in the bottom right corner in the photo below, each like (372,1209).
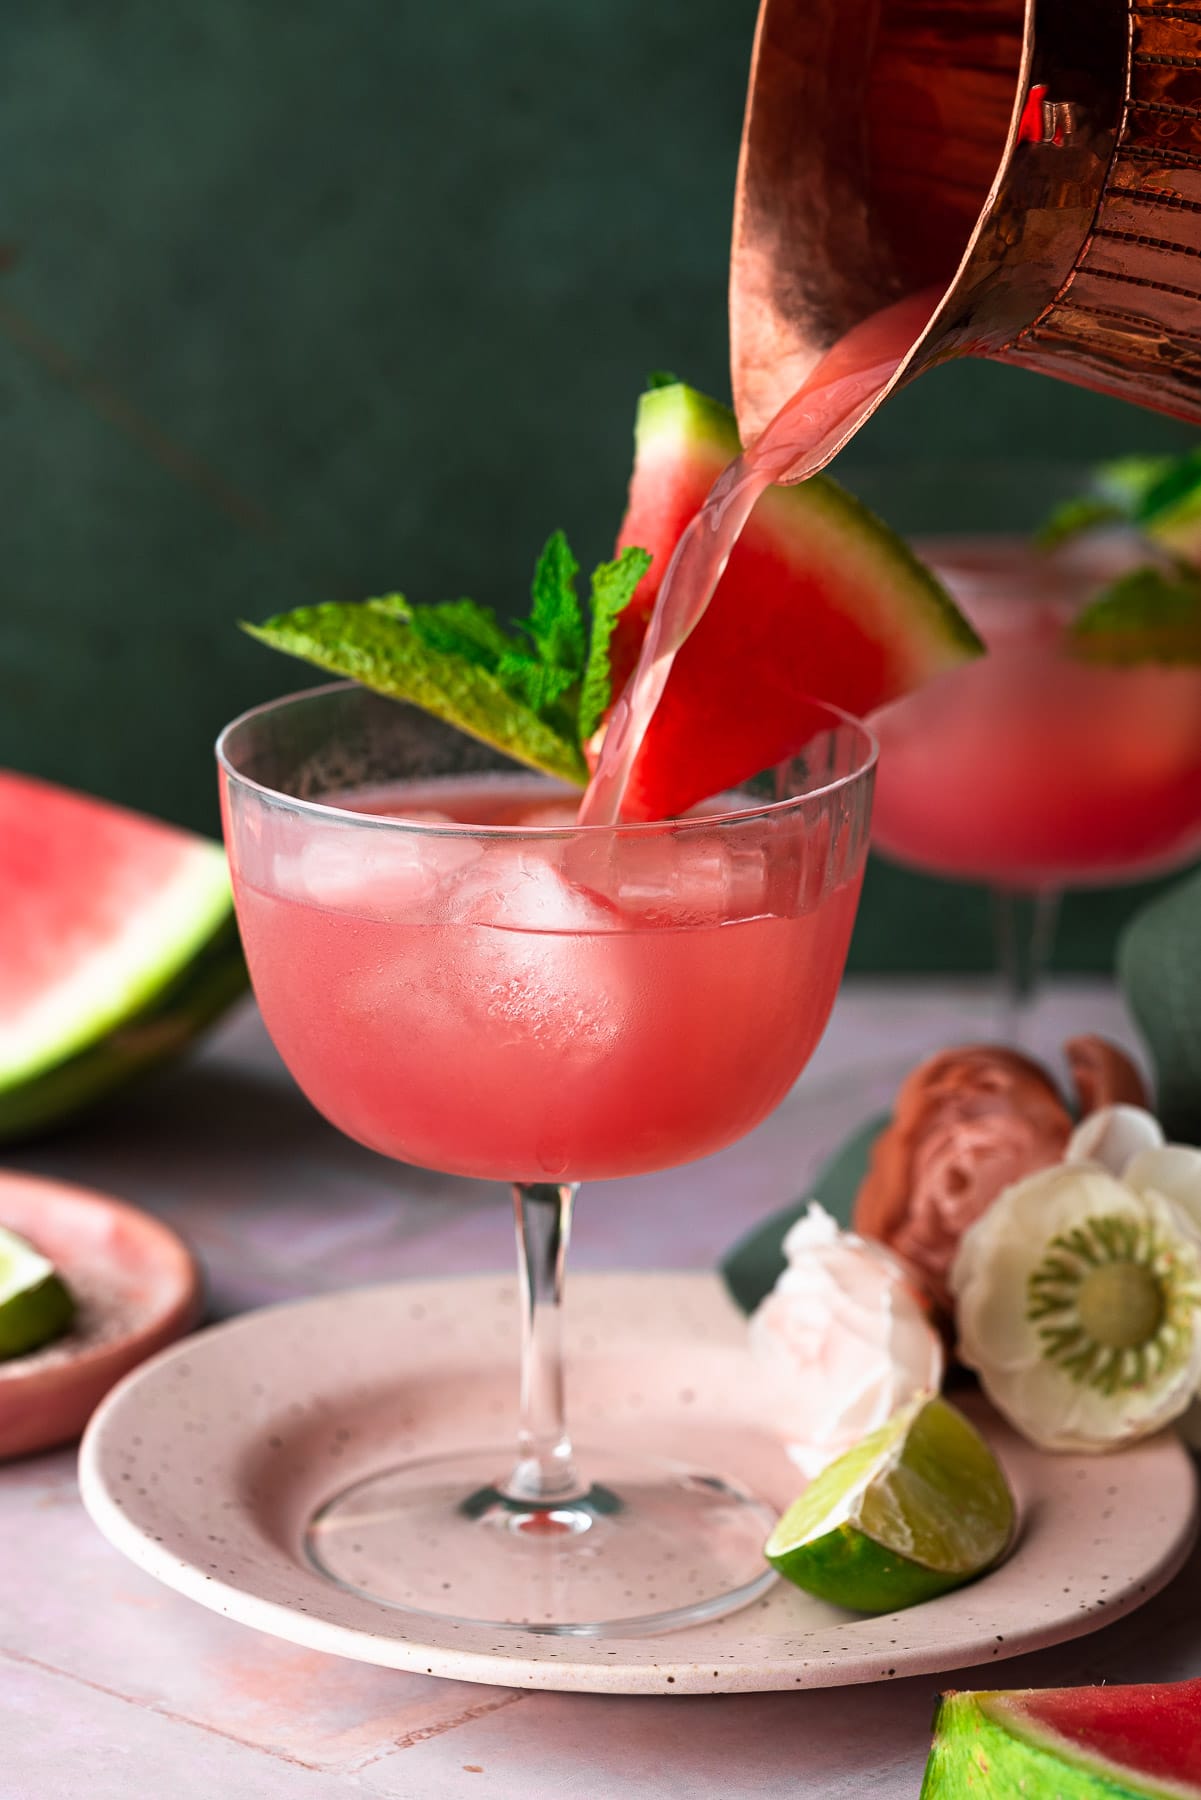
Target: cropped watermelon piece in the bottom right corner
(1072,1743)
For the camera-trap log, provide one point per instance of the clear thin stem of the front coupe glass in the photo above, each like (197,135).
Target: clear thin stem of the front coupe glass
(546,1473)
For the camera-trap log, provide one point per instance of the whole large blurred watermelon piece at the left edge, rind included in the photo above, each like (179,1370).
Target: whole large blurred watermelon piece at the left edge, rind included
(118,944)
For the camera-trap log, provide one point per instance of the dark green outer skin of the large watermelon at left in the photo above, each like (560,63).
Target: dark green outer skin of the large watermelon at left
(149,1038)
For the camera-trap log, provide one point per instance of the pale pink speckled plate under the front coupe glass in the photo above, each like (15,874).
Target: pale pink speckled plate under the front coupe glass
(206,1464)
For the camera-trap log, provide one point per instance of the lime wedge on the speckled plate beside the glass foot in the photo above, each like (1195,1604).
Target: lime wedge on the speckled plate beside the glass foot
(917,1507)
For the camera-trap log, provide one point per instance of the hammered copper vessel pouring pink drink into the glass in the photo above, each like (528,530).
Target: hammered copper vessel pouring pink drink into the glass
(1036,161)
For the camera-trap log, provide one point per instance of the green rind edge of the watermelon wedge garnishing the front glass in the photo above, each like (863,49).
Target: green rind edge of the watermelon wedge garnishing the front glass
(818,514)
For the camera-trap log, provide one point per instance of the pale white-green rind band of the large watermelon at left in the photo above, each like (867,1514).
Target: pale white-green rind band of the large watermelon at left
(159,940)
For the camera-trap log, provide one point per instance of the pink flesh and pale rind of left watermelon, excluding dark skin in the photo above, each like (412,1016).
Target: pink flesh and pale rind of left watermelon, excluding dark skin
(100,910)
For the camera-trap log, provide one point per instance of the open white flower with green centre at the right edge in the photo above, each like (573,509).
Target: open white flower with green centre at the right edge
(1079,1291)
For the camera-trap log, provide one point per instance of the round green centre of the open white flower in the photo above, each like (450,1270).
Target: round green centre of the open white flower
(1115,1302)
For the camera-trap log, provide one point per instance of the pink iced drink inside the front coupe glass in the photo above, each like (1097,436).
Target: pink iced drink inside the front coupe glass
(512,1011)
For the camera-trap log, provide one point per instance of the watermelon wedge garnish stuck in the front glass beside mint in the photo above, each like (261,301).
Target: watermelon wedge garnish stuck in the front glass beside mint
(818,600)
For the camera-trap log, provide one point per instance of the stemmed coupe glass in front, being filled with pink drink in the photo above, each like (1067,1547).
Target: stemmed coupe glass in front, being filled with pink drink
(518,998)
